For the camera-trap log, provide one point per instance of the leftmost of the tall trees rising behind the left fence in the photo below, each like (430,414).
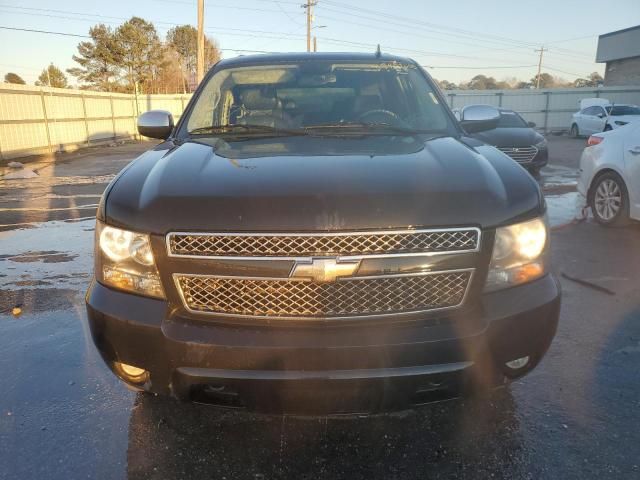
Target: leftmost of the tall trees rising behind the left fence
(99,60)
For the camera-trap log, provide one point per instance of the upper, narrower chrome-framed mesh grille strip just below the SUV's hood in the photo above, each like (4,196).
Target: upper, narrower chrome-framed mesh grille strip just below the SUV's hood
(338,244)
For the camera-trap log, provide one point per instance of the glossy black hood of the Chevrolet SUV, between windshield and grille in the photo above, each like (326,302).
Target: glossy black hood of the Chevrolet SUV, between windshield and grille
(308,183)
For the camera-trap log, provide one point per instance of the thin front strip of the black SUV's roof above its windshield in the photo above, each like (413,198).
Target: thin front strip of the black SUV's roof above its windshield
(271,58)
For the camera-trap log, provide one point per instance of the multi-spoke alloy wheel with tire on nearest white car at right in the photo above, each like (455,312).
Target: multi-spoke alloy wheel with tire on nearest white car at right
(609,200)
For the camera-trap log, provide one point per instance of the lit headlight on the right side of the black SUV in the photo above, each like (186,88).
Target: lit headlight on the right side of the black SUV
(519,254)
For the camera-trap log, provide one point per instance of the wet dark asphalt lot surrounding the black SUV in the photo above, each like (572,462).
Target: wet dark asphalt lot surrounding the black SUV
(63,415)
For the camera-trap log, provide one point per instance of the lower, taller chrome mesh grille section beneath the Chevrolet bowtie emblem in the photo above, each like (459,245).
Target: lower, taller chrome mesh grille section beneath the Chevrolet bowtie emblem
(284,298)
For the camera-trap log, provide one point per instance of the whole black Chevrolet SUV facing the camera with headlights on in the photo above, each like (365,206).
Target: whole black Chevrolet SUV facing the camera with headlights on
(318,233)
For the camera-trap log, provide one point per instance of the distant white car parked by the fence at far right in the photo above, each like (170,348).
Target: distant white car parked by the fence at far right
(601,118)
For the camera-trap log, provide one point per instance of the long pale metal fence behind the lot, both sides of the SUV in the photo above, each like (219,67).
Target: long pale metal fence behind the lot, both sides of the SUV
(41,120)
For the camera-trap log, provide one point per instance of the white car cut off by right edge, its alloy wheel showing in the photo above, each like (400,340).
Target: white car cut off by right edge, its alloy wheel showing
(610,175)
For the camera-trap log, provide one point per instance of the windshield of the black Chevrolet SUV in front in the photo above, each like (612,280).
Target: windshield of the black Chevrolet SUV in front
(319,95)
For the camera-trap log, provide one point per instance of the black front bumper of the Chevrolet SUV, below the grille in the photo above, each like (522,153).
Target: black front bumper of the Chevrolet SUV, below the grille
(325,368)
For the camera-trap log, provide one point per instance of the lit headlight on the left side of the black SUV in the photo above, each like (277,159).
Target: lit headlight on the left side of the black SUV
(124,260)
